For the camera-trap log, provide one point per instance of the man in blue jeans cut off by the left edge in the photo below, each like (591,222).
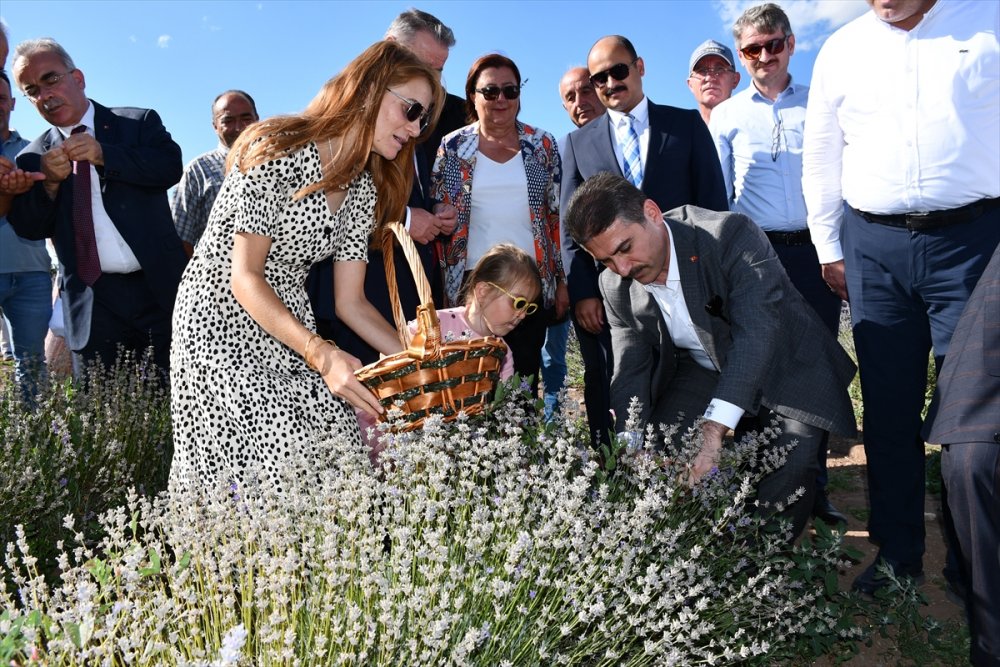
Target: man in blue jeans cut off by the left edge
(25,281)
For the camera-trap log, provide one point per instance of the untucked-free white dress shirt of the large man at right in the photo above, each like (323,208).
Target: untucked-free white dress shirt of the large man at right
(903,121)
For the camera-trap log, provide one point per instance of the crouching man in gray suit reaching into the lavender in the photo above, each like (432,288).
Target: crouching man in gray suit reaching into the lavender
(705,323)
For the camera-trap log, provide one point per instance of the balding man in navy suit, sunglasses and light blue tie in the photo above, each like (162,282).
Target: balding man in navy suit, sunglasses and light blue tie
(676,164)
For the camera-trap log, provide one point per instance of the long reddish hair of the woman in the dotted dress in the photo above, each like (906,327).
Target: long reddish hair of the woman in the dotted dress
(347,107)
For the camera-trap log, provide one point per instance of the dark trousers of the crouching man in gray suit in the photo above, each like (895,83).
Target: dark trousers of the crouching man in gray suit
(692,387)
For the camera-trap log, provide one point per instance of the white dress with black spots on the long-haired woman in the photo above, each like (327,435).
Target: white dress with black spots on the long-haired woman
(241,400)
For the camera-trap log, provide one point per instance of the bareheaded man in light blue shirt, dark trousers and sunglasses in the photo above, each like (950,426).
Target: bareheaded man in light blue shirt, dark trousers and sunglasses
(758,134)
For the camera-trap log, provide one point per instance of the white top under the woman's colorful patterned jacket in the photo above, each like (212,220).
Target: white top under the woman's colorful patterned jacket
(500,212)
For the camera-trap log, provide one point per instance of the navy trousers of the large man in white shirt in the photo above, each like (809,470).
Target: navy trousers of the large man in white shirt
(907,290)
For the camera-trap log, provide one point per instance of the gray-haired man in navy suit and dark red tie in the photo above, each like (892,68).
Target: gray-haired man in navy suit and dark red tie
(123,297)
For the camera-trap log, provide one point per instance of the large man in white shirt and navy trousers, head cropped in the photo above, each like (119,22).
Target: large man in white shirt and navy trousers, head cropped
(901,175)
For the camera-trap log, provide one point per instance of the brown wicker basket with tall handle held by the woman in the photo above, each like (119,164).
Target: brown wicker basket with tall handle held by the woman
(430,376)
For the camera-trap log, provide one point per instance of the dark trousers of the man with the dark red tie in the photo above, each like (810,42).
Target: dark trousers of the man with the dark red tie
(125,315)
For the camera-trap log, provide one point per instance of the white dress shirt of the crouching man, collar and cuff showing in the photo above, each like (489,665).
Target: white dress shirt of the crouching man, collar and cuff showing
(670,298)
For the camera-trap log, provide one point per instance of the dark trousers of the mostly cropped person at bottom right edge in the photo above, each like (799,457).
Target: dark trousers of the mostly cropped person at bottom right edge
(971,473)
